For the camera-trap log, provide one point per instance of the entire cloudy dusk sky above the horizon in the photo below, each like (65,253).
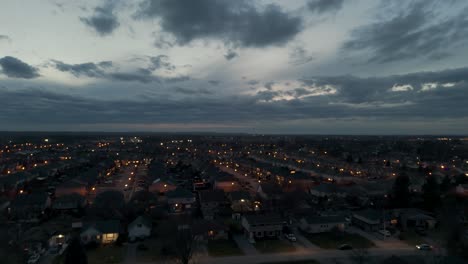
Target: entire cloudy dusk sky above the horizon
(264,66)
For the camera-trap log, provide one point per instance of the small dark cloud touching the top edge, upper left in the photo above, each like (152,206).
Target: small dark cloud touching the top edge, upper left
(103,21)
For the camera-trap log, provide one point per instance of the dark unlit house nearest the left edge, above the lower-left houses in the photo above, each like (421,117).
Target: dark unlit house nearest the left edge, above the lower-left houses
(29,207)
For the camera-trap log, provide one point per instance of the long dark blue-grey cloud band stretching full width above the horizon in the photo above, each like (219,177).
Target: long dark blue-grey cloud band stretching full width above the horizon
(355,97)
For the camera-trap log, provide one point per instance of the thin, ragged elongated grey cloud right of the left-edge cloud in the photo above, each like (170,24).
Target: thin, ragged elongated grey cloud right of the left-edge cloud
(88,69)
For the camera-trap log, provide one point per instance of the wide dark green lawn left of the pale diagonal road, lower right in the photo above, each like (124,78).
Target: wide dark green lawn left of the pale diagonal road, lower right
(330,240)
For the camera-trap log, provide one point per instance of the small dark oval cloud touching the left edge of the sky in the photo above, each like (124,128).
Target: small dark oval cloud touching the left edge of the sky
(15,68)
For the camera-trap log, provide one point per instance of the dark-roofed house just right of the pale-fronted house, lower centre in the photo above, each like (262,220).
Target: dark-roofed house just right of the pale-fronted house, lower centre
(210,202)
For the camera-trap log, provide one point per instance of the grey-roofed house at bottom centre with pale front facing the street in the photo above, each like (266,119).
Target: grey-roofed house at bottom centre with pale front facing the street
(262,225)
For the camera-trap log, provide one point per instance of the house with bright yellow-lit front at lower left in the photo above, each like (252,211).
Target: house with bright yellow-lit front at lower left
(100,232)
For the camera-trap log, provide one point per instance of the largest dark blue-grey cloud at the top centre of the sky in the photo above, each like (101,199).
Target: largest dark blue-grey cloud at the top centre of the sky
(237,22)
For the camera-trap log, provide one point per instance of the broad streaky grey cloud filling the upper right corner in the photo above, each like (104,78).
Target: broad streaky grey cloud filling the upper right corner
(416,30)
